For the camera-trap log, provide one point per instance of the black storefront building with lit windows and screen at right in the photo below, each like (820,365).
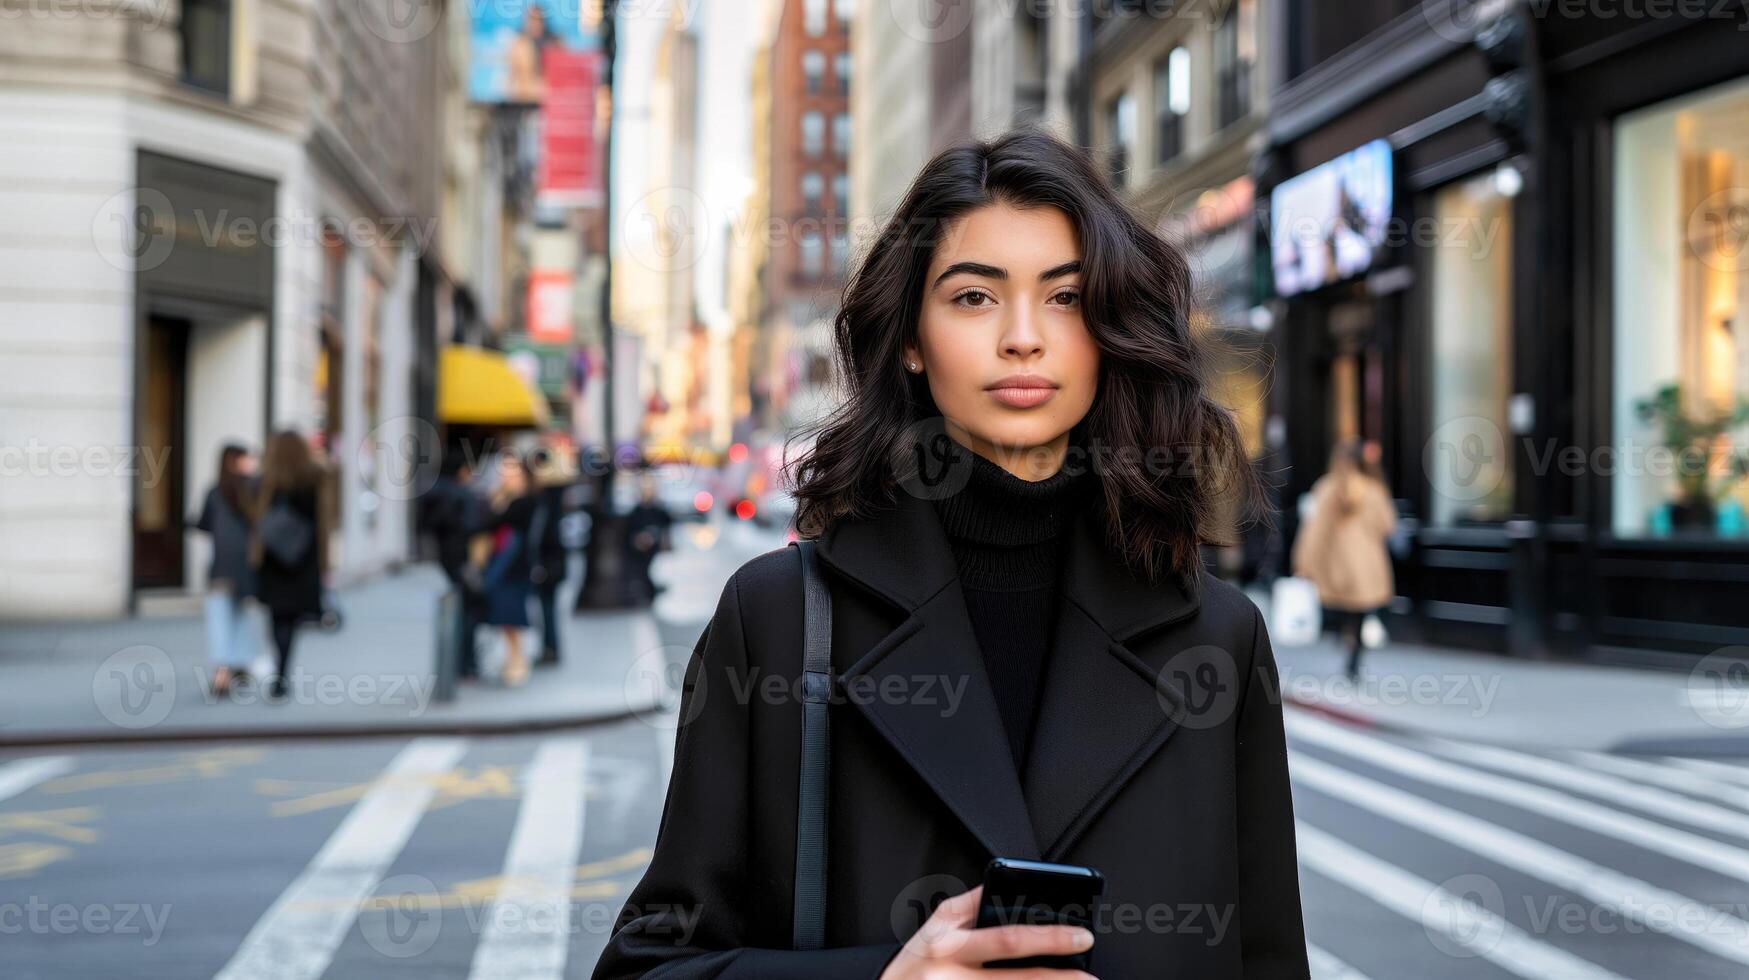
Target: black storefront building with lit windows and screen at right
(1503,248)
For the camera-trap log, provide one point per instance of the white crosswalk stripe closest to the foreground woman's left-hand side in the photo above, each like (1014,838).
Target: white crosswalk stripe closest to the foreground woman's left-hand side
(529,923)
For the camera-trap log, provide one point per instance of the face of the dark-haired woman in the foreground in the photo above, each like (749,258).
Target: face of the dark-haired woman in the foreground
(1003,298)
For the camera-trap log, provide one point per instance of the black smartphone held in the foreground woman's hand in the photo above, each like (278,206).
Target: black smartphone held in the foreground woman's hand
(1035,893)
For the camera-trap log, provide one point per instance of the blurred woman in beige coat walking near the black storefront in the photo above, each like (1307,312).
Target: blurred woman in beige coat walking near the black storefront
(1344,545)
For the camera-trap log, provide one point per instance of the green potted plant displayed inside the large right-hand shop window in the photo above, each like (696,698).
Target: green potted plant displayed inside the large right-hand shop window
(1694,442)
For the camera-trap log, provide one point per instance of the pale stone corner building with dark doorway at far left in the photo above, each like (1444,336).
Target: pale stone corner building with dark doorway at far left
(214,232)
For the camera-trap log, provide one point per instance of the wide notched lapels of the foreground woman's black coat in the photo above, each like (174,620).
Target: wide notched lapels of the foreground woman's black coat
(1101,713)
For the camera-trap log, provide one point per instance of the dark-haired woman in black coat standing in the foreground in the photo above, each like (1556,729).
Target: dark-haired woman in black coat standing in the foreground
(947,503)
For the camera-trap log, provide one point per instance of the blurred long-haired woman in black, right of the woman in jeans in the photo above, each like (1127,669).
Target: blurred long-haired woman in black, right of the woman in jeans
(289,543)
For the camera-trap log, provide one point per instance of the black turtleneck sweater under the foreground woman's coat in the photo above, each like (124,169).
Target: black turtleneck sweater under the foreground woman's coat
(1007,536)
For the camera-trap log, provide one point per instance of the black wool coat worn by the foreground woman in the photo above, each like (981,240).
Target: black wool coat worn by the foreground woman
(1157,757)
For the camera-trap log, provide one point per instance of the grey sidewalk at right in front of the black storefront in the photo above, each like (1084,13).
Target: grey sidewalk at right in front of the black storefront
(1516,703)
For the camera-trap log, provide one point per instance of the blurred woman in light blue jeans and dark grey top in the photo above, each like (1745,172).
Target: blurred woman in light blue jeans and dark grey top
(230,578)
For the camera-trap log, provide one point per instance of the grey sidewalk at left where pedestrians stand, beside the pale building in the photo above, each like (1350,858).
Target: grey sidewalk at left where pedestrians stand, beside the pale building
(146,678)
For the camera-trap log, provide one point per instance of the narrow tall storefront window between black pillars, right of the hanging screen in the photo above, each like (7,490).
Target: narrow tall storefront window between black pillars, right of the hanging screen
(1472,354)
